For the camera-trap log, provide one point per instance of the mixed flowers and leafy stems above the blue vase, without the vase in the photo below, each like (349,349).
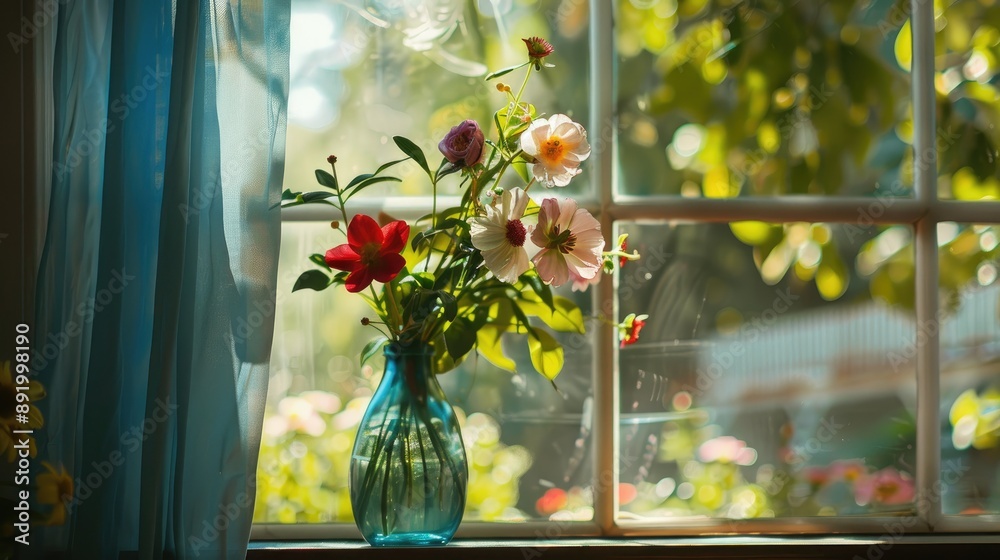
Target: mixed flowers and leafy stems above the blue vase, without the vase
(460,278)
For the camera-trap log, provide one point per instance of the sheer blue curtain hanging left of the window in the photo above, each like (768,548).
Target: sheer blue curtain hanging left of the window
(156,285)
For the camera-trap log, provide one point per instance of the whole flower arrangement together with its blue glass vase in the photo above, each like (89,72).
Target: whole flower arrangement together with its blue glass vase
(454,281)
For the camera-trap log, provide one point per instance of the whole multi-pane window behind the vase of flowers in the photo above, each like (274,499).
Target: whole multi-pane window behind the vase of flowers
(815,204)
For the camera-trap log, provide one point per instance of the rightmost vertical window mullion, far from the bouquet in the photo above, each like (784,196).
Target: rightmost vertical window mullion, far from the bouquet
(928,324)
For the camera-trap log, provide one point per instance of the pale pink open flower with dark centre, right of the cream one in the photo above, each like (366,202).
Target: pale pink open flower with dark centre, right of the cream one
(570,240)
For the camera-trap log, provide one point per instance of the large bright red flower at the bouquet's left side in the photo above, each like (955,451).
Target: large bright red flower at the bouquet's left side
(371,253)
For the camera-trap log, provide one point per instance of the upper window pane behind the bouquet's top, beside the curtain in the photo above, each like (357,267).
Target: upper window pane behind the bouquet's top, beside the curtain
(362,73)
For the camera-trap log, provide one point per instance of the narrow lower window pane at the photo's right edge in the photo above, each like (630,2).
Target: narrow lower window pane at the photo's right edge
(970,368)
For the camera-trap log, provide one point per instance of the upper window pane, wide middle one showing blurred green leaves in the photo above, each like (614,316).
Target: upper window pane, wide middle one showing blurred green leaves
(763,97)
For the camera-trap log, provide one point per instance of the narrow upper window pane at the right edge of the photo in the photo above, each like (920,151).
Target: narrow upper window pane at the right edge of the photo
(968,51)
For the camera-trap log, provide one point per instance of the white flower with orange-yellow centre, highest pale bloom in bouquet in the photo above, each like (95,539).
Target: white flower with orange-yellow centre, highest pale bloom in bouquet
(558,145)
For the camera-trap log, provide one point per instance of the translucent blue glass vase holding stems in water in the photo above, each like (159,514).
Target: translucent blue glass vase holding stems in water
(408,468)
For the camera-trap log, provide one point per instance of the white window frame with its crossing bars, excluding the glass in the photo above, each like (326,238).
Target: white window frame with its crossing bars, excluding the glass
(923,212)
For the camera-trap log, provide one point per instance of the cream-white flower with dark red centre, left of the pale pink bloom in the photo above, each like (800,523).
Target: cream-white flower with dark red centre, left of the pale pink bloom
(500,235)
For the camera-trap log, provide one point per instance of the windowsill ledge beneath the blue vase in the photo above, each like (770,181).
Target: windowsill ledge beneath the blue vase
(838,547)
